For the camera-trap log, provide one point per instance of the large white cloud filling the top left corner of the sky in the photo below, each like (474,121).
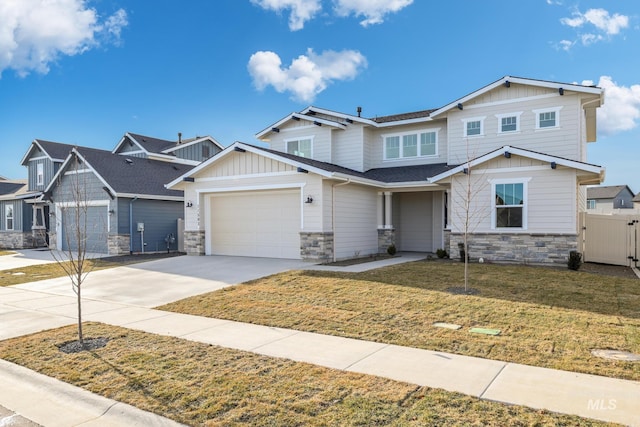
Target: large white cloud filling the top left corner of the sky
(35,33)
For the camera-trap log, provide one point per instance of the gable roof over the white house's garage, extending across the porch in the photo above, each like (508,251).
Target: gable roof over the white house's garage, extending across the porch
(418,174)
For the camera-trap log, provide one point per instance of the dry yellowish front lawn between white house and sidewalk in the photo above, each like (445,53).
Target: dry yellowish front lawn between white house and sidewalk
(548,317)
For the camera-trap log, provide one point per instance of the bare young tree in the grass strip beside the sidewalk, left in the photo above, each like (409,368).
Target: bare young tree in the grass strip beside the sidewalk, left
(72,256)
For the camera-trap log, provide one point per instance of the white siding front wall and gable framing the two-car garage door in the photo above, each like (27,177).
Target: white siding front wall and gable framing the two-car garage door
(252,172)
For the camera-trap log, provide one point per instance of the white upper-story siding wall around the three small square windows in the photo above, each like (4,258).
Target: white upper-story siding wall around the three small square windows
(563,141)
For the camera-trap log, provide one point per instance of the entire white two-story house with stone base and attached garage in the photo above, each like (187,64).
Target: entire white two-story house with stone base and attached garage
(335,185)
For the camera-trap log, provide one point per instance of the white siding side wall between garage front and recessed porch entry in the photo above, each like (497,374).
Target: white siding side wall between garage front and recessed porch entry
(355,228)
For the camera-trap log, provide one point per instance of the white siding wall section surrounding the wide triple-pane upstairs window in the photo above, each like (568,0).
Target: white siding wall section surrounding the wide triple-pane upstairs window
(375,144)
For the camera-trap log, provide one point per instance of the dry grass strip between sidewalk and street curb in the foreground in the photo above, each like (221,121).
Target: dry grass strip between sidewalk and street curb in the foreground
(199,384)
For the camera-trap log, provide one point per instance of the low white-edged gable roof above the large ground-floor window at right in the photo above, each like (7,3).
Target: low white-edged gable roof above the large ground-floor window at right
(594,173)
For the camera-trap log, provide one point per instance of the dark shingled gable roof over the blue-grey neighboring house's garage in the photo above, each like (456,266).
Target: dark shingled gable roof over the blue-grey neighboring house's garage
(129,176)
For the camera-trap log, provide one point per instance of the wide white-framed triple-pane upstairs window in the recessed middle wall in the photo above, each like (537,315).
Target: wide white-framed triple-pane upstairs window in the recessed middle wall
(412,144)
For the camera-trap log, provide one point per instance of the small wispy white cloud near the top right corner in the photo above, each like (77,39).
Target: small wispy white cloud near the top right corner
(601,25)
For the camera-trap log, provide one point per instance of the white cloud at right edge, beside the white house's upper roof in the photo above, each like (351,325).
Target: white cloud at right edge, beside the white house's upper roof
(621,109)
